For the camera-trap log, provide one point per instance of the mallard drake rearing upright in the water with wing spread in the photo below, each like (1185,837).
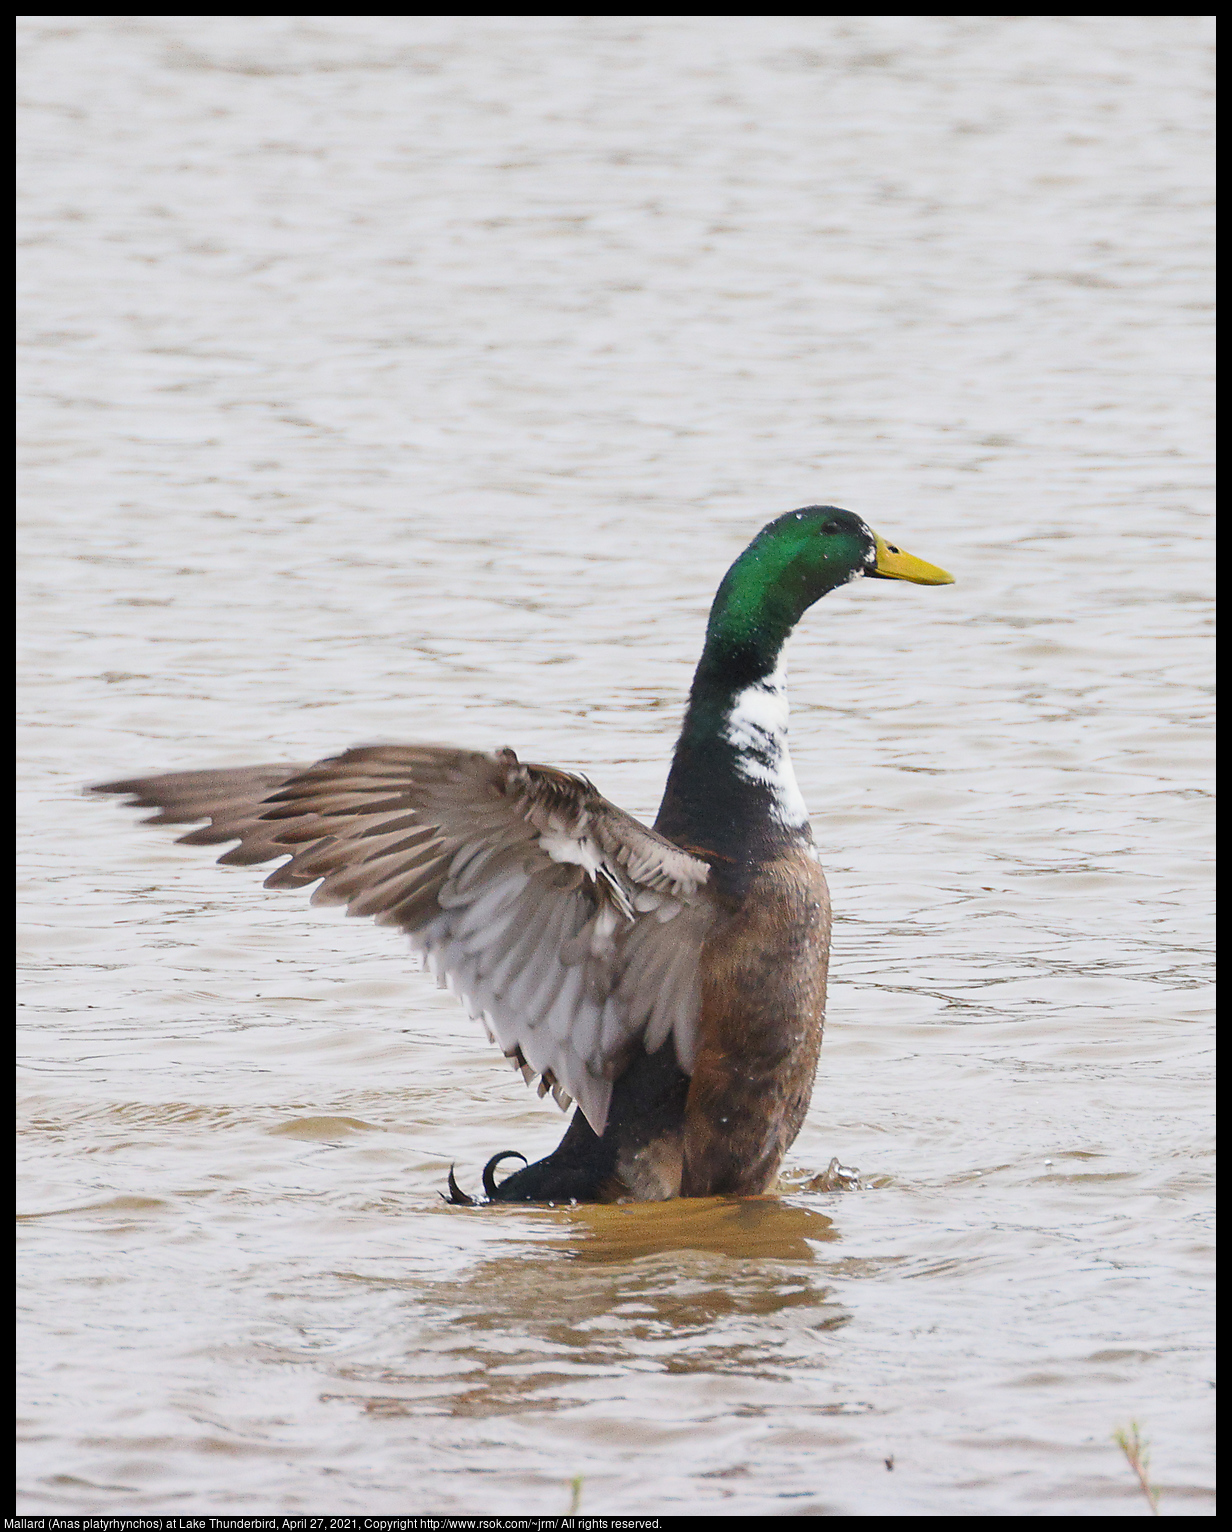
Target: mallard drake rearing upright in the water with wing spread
(670,981)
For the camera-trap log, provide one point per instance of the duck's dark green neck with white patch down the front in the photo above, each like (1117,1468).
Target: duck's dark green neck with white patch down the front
(732,790)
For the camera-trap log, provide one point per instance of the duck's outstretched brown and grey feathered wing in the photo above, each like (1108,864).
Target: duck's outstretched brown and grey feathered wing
(565,925)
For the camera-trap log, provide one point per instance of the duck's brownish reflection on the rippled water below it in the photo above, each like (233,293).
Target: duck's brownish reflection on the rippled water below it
(718,1286)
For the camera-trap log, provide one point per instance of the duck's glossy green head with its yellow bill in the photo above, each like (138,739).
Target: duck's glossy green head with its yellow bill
(793,563)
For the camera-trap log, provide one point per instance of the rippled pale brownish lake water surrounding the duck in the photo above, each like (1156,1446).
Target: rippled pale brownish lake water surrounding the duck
(419,379)
